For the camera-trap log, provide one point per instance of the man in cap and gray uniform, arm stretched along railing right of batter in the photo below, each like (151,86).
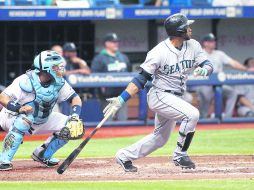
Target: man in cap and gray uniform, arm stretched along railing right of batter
(218,59)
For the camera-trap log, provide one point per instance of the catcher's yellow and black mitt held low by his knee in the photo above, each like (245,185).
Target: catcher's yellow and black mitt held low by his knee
(73,130)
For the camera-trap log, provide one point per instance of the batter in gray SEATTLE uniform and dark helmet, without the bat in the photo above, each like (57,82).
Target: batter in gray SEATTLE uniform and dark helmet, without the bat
(167,65)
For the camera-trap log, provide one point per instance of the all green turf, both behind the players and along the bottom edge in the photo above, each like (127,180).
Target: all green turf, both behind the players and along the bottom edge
(206,142)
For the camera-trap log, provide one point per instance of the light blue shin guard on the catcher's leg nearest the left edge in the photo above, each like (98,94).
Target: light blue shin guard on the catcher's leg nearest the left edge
(15,137)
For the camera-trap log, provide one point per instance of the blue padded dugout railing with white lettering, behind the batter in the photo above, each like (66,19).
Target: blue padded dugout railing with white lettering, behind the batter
(122,79)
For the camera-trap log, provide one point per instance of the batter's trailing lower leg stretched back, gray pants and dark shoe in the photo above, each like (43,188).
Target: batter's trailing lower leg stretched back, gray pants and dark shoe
(150,143)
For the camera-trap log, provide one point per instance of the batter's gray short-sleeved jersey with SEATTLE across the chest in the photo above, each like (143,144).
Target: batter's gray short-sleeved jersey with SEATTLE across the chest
(170,66)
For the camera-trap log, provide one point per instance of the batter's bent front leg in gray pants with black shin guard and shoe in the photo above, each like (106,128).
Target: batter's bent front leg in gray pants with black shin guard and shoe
(175,108)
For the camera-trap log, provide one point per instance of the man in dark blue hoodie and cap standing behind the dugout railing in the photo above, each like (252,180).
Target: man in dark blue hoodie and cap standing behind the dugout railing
(110,59)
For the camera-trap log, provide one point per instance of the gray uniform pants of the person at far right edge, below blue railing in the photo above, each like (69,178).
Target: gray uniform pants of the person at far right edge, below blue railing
(246,91)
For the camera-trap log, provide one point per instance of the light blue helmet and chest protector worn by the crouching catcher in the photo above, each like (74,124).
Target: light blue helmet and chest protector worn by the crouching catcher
(46,94)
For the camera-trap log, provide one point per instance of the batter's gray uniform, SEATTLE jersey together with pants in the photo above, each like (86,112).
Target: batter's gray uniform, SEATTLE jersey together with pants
(170,68)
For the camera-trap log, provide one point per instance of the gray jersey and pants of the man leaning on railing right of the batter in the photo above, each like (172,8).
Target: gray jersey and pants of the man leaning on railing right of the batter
(206,93)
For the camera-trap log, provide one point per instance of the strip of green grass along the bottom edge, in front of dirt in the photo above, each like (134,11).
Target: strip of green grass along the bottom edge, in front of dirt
(140,185)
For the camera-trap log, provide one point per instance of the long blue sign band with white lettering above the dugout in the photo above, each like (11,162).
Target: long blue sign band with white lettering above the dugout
(43,13)
